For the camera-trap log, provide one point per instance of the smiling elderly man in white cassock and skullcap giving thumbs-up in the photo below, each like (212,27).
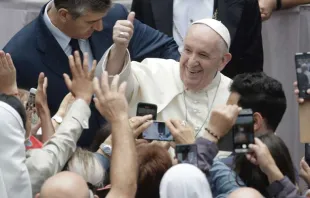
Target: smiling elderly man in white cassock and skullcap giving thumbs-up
(185,90)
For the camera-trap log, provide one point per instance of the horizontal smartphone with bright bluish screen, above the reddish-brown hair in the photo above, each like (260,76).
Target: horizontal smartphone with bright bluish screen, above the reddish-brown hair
(157,131)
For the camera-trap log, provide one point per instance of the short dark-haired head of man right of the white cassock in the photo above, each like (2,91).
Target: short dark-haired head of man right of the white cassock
(262,94)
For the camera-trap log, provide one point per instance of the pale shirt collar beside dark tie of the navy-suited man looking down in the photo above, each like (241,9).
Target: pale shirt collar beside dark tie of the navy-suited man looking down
(63,40)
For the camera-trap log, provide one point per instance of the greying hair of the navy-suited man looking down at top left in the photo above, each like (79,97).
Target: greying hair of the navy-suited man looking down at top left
(78,7)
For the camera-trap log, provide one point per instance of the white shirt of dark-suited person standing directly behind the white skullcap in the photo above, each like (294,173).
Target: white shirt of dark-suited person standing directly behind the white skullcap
(185,12)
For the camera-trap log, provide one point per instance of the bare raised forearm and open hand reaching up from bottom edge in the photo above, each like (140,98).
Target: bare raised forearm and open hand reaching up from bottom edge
(112,104)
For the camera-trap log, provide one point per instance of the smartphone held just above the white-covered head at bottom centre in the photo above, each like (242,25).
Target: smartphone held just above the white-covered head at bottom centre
(186,153)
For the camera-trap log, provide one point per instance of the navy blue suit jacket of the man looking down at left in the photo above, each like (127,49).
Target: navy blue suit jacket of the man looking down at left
(34,49)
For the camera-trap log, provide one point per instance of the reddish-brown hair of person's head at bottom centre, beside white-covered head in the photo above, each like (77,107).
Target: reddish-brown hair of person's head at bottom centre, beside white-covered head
(153,163)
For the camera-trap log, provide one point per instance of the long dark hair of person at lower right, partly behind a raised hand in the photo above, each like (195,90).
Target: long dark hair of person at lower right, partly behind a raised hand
(251,174)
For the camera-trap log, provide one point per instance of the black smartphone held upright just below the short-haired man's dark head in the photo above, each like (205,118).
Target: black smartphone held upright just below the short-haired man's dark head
(243,131)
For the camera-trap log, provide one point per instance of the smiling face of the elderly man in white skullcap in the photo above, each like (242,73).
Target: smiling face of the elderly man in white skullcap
(202,57)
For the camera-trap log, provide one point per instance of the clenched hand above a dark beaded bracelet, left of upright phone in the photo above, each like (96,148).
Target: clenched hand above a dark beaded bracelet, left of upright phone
(222,119)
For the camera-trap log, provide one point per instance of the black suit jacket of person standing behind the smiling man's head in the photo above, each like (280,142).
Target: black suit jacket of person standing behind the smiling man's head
(241,17)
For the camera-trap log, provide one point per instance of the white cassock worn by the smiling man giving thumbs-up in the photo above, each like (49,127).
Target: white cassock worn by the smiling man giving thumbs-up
(158,81)
